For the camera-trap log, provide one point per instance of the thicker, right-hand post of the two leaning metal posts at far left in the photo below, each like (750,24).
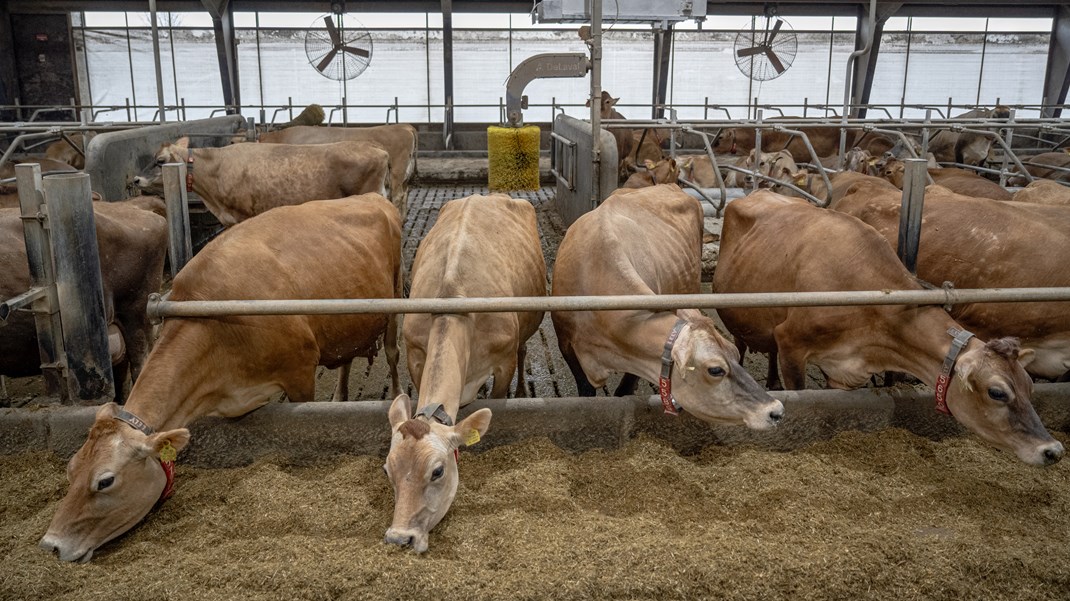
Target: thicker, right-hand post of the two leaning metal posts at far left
(70,206)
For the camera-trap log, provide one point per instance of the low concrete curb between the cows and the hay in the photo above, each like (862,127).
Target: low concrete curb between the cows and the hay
(312,432)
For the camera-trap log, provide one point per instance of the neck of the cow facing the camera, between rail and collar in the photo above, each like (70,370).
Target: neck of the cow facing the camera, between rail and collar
(446,367)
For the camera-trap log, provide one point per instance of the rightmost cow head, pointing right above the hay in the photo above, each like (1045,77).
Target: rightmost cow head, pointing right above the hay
(990,395)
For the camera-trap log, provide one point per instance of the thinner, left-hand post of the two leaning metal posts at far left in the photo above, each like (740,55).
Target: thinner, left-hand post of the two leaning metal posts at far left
(39,255)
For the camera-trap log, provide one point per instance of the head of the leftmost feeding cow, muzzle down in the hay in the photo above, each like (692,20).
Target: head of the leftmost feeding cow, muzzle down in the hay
(115,480)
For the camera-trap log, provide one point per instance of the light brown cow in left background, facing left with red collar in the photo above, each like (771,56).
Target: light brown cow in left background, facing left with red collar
(240,181)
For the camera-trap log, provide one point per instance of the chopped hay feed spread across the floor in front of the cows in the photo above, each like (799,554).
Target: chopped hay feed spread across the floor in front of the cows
(885,516)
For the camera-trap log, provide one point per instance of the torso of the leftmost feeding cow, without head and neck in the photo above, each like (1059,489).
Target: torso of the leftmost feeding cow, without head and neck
(342,249)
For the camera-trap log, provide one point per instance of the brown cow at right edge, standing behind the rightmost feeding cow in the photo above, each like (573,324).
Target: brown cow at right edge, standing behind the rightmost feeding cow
(980,243)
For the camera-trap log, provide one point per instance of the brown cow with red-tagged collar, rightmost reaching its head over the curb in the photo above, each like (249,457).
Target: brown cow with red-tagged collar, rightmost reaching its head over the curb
(772,243)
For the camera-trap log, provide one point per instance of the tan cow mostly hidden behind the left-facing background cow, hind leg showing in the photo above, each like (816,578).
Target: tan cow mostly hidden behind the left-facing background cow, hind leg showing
(400,141)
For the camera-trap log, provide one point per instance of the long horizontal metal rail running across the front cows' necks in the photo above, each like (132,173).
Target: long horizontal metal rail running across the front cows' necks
(159,309)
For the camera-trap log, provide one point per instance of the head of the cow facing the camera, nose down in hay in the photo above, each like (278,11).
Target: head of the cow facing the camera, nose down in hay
(422,466)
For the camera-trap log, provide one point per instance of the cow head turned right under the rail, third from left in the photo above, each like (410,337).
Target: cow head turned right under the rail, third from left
(710,383)
